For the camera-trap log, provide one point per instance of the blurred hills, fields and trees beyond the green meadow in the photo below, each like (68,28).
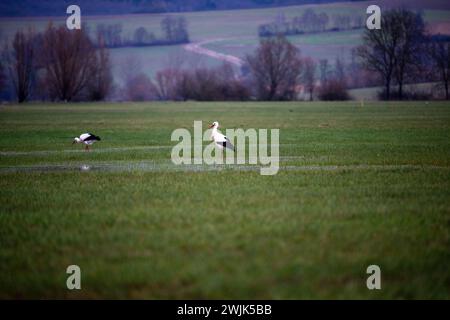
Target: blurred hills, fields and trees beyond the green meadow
(209,50)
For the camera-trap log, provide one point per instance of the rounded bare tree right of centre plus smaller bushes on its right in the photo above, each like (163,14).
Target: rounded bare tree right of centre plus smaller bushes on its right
(279,72)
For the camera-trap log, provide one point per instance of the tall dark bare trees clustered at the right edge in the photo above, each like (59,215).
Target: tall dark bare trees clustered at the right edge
(401,52)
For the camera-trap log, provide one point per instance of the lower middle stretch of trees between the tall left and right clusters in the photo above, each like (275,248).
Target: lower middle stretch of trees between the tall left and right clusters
(276,71)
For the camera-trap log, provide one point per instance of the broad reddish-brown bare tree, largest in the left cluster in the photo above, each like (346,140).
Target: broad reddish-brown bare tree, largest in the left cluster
(69,58)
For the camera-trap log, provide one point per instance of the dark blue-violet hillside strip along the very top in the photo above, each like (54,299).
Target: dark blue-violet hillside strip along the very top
(14,8)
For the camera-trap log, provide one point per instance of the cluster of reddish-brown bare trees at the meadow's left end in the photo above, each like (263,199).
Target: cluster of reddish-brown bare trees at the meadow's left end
(58,64)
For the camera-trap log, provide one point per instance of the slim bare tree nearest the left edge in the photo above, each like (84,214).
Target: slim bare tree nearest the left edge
(20,62)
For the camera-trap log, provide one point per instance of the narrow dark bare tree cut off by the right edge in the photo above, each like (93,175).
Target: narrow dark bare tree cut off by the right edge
(440,56)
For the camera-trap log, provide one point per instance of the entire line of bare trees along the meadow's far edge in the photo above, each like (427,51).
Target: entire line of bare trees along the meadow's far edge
(63,65)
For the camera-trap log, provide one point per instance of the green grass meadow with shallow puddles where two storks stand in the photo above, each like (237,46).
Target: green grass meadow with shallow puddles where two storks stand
(357,186)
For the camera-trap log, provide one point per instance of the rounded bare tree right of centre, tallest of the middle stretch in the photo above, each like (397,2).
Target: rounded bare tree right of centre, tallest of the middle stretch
(275,68)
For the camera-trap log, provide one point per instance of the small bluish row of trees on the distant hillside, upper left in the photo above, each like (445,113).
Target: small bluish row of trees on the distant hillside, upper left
(174,31)
